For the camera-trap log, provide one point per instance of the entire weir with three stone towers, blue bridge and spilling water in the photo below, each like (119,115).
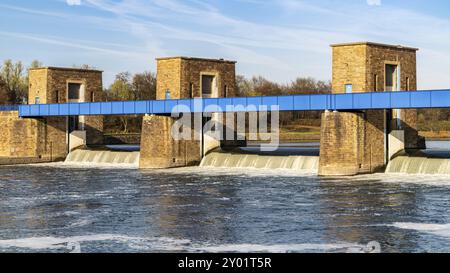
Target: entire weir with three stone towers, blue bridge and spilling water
(369,117)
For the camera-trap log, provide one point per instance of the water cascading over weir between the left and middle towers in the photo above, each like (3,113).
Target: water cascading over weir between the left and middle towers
(103,158)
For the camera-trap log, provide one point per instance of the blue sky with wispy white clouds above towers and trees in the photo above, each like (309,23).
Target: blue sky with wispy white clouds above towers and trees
(278,39)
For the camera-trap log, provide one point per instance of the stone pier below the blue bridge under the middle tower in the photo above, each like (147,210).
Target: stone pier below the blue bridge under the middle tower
(160,150)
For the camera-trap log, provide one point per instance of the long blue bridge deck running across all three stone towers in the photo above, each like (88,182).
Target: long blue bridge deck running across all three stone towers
(354,101)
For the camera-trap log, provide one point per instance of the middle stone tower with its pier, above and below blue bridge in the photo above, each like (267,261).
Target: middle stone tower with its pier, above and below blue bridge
(184,78)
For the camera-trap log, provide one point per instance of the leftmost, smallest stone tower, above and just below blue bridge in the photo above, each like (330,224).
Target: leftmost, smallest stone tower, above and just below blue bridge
(65,85)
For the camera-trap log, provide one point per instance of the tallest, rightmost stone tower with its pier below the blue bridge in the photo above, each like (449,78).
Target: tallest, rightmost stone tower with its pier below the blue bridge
(364,141)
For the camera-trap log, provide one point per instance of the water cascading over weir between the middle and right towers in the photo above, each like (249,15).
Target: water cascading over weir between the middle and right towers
(229,160)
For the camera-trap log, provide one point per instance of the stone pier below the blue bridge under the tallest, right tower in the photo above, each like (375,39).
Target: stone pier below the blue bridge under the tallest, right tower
(352,143)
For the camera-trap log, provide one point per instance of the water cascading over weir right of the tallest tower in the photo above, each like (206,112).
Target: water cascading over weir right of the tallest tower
(419,165)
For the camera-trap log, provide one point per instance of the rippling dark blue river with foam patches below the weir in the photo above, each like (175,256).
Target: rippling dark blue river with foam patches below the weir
(45,208)
